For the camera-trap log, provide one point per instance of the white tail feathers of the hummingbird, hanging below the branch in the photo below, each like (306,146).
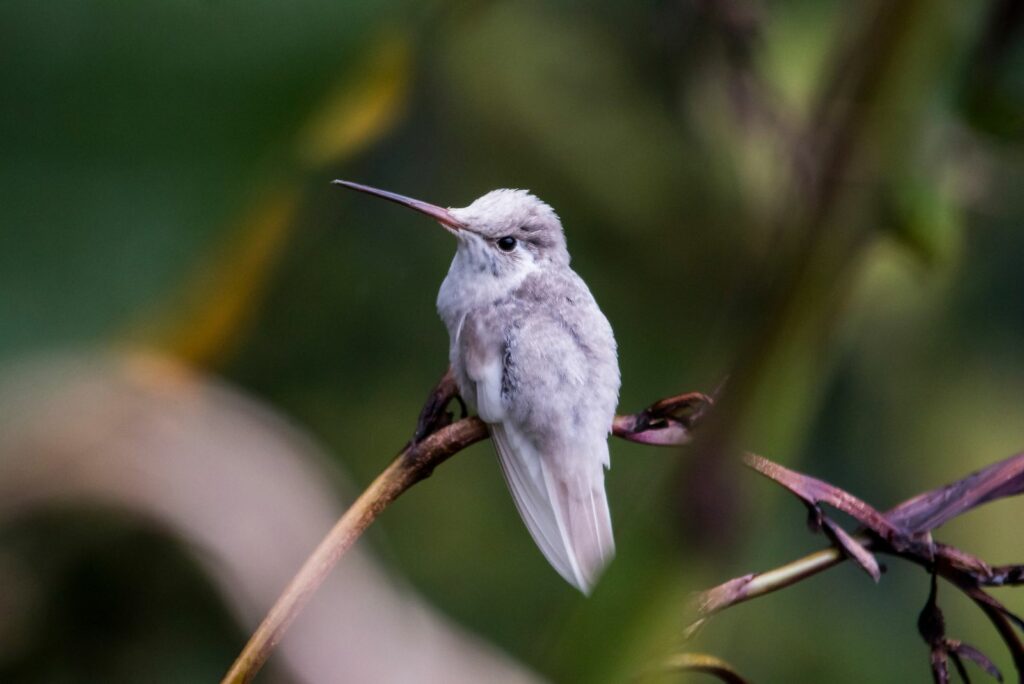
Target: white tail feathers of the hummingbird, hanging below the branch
(567,514)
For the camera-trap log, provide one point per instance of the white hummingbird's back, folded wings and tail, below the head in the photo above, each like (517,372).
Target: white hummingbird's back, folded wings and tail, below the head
(547,386)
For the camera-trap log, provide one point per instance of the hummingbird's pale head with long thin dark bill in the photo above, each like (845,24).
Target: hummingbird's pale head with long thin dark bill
(504,233)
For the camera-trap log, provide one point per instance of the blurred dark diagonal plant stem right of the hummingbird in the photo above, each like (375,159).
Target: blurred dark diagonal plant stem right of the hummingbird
(829,223)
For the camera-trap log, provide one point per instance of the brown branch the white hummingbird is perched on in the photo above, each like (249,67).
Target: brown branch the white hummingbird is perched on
(437,439)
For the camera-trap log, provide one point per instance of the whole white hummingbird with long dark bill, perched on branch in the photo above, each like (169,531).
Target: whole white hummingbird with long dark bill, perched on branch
(535,357)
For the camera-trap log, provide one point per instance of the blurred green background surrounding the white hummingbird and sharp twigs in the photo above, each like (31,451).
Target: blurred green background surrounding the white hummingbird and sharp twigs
(814,205)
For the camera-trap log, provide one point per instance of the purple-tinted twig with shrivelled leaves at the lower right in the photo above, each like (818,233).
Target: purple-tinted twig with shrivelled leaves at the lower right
(904,532)
